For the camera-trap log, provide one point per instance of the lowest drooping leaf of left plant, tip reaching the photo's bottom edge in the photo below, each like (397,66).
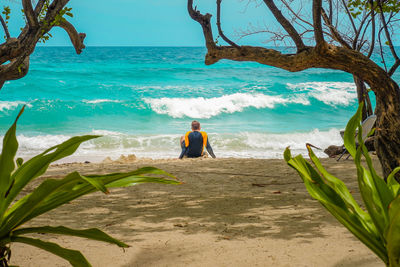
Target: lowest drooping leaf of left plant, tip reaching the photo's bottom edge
(74,257)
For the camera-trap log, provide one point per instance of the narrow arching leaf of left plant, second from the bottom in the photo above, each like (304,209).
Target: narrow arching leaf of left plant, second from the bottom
(93,233)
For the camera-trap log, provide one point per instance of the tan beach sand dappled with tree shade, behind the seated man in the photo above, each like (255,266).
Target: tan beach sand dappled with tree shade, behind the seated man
(229,212)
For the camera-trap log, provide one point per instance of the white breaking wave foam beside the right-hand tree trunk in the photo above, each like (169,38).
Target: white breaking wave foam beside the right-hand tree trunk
(331,93)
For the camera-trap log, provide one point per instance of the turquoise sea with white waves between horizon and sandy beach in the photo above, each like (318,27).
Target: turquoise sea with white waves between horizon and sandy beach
(142,99)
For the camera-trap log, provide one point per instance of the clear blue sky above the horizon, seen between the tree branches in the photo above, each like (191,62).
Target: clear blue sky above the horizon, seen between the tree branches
(147,23)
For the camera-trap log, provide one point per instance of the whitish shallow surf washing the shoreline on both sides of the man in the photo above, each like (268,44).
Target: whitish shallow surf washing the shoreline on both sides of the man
(243,145)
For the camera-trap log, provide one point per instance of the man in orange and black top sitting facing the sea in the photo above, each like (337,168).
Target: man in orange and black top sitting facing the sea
(194,141)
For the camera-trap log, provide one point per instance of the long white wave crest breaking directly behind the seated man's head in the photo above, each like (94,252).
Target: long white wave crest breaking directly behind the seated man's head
(201,107)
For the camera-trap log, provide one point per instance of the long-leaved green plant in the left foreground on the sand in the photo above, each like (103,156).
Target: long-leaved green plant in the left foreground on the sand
(51,194)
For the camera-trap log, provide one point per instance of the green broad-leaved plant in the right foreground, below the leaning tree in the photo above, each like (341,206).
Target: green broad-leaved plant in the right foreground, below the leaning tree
(379,226)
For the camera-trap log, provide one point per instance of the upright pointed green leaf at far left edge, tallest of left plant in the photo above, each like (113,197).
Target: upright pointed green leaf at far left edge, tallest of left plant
(9,150)
